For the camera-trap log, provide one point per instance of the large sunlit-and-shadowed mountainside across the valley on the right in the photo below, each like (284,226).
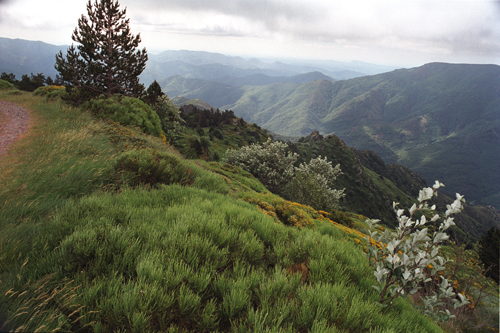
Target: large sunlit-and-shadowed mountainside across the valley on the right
(441,120)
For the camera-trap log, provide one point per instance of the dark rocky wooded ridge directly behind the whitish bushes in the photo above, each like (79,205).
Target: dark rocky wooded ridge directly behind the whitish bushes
(371,186)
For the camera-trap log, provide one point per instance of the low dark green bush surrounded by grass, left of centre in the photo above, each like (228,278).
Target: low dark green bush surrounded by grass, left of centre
(149,167)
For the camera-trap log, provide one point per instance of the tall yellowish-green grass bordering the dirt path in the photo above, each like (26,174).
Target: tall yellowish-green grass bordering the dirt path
(64,155)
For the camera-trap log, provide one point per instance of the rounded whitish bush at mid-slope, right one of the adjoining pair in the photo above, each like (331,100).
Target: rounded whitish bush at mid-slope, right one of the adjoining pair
(313,184)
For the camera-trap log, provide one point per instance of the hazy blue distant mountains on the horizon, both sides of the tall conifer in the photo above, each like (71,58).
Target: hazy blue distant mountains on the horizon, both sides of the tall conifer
(20,57)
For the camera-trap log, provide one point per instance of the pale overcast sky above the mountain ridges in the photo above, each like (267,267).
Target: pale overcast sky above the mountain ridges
(390,32)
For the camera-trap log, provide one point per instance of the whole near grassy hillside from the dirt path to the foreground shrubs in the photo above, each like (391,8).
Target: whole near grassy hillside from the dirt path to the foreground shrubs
(77,256)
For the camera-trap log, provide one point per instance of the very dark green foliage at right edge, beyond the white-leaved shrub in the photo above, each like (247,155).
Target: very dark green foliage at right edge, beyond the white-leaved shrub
(489,253)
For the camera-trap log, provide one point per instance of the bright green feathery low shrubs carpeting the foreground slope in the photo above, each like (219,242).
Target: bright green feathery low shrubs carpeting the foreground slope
(153,260)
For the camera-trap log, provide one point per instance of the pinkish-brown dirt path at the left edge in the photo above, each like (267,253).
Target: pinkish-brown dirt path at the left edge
(14,121)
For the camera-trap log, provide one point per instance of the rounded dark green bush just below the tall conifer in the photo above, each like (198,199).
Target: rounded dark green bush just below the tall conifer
(127,111)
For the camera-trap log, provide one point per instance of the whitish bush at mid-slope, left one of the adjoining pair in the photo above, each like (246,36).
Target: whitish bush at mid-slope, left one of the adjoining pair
(269,163)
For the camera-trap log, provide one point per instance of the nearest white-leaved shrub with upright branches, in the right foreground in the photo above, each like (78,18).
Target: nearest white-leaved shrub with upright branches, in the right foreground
(406,259)
